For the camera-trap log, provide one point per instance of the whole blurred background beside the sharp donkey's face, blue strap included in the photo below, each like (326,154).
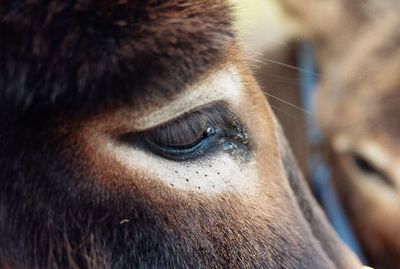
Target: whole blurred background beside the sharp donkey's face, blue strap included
(330,70)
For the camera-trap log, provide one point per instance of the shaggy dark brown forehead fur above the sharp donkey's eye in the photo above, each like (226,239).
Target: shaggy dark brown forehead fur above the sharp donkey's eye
(83,53)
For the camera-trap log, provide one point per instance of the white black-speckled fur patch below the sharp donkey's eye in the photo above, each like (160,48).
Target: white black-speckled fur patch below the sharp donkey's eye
(218,173)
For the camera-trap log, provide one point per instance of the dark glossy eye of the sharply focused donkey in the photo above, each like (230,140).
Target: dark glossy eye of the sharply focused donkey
(194,134)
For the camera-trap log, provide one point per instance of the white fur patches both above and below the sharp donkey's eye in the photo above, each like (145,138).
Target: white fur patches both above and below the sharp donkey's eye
(216,173)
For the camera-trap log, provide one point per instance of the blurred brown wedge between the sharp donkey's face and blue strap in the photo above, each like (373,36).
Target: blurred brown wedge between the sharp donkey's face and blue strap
(282,83)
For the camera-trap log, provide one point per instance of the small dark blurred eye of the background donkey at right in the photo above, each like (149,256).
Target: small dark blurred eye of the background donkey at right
(367,168)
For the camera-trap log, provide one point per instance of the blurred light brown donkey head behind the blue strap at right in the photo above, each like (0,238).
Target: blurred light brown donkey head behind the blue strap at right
(358,106)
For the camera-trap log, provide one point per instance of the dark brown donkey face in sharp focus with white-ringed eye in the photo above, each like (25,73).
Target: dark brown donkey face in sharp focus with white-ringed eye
(134,136)
